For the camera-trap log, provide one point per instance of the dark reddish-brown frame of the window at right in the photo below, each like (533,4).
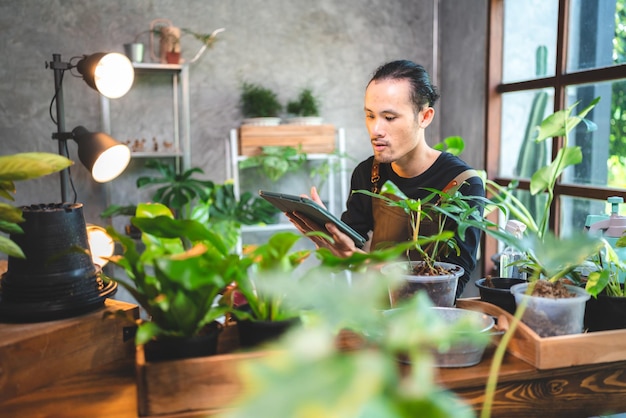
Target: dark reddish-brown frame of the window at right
(559,82)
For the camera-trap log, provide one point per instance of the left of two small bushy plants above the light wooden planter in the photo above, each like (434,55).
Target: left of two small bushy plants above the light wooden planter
(259,105)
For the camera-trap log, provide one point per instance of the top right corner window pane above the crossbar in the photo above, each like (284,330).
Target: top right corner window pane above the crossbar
(596,34)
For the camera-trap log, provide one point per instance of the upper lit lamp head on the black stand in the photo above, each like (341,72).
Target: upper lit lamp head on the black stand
(112,74)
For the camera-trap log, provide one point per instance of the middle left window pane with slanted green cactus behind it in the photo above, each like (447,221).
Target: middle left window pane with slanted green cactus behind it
(520,155)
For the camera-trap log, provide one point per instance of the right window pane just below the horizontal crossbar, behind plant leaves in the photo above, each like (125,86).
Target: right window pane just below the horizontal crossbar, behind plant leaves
(604,150)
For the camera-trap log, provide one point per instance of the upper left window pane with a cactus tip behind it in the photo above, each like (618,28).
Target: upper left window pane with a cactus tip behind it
(529,49)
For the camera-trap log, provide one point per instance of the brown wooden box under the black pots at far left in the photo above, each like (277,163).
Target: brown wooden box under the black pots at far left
(38,354)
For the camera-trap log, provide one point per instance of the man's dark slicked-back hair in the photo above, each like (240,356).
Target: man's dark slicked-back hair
(423,93)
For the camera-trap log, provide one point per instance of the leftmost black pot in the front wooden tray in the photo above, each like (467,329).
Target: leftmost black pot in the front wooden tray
(201,345)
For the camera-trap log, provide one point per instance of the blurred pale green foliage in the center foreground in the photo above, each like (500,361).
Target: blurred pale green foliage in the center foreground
(323,371)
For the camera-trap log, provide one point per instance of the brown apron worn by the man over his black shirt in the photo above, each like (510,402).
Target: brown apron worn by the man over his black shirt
(392,224)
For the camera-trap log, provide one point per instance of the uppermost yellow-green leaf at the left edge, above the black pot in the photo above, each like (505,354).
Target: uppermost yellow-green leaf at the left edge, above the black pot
(30,165)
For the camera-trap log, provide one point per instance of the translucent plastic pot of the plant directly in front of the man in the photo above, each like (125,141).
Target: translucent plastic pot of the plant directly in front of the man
(440,289)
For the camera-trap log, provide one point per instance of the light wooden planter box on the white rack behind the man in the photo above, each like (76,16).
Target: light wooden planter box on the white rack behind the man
(314,139)
